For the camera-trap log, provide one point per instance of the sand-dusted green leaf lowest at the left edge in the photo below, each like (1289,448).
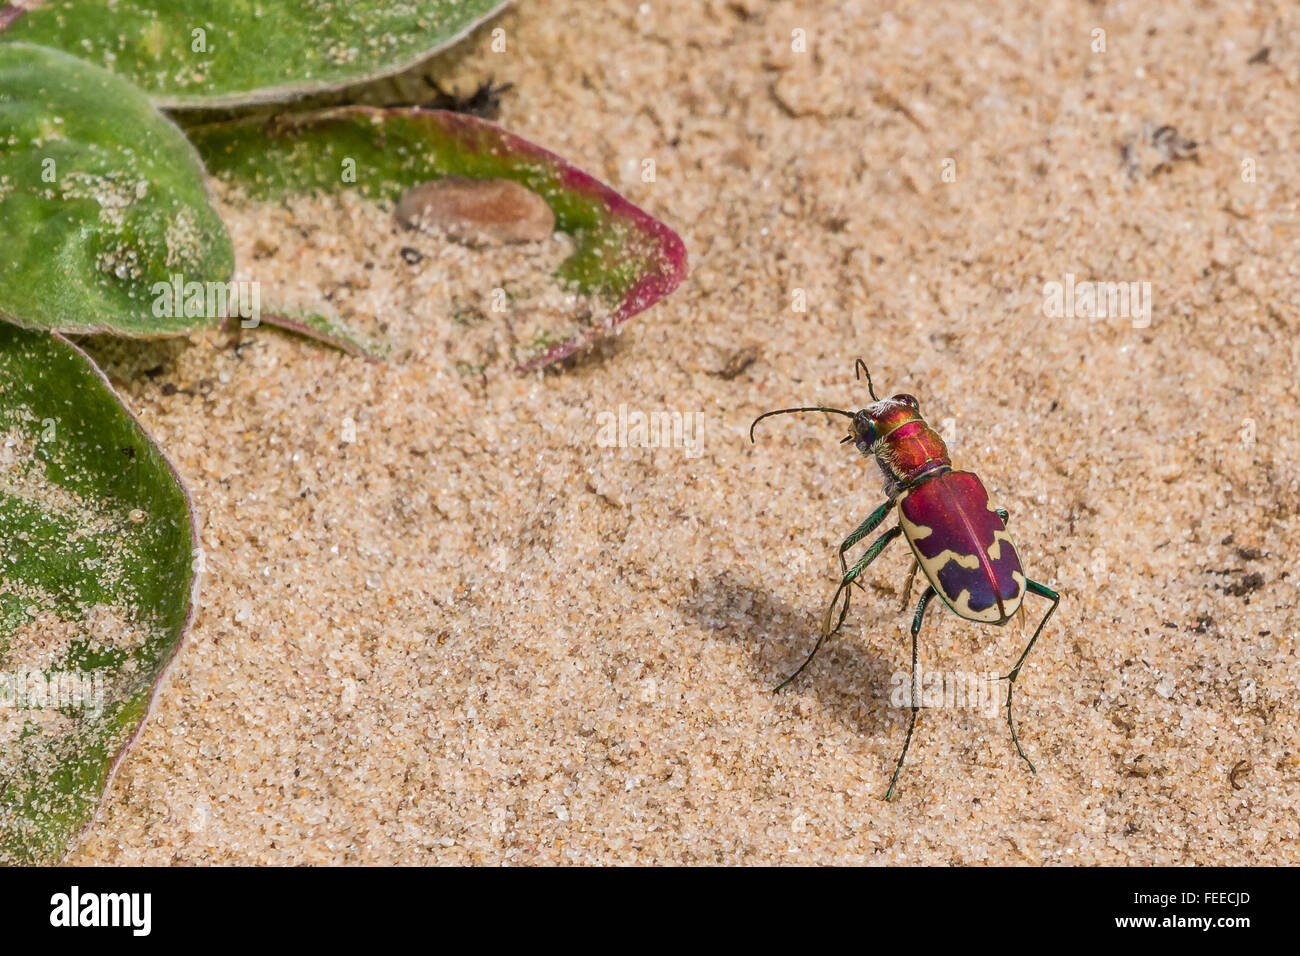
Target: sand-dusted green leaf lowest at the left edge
(97,544)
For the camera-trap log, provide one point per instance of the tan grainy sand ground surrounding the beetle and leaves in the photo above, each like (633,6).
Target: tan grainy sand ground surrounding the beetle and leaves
(444,624)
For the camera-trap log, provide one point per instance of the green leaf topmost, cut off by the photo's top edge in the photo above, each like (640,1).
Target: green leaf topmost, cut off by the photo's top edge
(228,53)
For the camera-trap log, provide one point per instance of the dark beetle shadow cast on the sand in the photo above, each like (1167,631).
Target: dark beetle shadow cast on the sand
(850,678)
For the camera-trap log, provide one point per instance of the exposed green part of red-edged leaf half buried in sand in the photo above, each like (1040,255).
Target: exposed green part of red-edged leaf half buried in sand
(625,257)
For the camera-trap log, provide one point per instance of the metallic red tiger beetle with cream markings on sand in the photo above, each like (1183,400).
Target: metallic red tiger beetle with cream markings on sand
(959,540)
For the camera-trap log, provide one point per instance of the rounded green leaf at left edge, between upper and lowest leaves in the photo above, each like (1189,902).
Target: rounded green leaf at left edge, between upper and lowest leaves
(101,198)
